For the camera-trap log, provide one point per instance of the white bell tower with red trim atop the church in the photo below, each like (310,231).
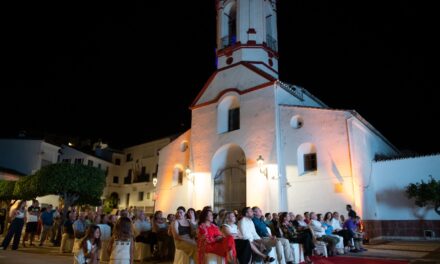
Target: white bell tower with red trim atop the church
(247,32)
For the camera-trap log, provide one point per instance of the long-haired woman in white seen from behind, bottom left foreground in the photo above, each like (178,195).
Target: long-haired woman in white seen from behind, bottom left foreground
(121,245)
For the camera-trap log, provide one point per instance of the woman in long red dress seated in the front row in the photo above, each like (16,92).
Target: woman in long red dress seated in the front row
(211,240)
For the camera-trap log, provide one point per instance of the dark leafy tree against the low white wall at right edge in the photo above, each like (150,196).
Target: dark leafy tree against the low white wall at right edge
(425,193)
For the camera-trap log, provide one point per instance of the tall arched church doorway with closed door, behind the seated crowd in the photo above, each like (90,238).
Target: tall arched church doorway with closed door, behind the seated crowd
(229,170)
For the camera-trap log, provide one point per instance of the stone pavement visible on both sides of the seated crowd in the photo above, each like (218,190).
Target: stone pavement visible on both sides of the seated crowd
(416,252)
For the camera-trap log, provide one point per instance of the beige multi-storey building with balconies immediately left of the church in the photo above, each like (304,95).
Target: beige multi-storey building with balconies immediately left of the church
(130,179)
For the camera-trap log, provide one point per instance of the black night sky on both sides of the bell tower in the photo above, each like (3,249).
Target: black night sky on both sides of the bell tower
(90,69)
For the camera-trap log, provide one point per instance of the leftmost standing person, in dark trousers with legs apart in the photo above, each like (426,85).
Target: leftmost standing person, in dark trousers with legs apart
(17,217)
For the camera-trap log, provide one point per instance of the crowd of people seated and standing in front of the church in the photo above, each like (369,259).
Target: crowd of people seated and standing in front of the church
(245,237)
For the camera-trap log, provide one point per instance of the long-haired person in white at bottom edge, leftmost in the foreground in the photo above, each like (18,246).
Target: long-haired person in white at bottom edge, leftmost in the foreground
(88,250)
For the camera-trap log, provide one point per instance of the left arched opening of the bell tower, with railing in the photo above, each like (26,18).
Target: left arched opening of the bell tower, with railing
(229,25)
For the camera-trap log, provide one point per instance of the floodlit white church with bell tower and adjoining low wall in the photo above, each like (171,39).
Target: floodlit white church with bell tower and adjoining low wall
(256,141)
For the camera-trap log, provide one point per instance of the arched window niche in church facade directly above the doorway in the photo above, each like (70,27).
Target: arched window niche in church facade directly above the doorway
(228,114)
